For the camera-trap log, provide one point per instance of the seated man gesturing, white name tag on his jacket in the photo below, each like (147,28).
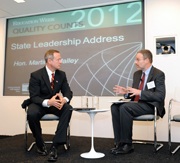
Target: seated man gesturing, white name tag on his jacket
(151,95)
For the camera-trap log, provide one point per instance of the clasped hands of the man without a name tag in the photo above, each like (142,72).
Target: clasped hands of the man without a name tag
(57,101)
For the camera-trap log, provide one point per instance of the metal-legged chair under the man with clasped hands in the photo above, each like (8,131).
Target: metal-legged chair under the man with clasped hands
(47,117)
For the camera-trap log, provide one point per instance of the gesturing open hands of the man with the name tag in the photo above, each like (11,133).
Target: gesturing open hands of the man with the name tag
(129,90)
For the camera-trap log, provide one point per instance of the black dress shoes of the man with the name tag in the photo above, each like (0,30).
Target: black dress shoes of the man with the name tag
(125,149)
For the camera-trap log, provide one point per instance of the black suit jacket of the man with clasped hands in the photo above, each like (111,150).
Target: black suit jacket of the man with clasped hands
(40,89)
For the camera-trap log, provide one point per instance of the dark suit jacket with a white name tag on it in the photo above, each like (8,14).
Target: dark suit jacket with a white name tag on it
(154,96)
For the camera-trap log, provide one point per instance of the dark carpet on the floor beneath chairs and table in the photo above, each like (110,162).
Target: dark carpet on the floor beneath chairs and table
(12,150)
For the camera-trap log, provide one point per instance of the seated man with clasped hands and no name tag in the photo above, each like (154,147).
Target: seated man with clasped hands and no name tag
(45,98)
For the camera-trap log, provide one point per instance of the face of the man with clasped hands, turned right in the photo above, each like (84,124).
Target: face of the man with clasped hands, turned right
(56,62)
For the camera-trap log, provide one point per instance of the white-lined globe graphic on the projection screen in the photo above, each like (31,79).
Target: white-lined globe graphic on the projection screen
(100,72)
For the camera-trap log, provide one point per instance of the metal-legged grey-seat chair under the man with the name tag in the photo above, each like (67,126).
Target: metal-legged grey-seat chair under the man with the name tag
(150,117)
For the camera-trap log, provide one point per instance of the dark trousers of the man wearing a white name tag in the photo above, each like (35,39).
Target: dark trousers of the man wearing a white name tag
(122,116)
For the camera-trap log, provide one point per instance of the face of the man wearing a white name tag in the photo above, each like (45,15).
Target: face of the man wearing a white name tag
(140,62)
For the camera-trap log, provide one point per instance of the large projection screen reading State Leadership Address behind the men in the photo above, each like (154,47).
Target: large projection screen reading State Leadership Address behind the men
(97,44)
